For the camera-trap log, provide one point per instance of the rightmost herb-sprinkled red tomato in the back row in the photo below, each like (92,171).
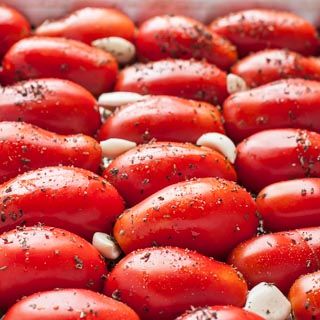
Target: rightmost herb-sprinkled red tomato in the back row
(257,29)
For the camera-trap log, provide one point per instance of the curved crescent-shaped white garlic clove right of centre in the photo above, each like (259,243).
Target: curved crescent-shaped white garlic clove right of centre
(220,143)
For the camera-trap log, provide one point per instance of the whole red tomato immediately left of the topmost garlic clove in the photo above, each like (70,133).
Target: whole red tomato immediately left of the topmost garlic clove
(45,57)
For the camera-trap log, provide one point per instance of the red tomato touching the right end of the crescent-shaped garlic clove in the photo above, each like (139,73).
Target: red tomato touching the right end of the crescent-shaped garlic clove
(277,155)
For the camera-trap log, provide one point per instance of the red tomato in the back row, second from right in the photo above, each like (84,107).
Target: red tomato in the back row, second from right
(181,37)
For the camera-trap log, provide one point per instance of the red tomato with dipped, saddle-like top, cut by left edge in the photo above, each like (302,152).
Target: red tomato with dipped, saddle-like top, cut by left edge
(24,147)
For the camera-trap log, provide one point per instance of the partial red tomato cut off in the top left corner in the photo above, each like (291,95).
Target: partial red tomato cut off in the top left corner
(13,27)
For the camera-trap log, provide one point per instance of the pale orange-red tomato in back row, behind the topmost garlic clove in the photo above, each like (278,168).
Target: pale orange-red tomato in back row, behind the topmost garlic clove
(89,24)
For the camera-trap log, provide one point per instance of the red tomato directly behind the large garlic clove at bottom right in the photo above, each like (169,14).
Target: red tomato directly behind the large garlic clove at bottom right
(278,258)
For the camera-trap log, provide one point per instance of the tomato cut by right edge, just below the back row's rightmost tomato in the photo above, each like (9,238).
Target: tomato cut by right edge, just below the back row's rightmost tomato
(275,64)
